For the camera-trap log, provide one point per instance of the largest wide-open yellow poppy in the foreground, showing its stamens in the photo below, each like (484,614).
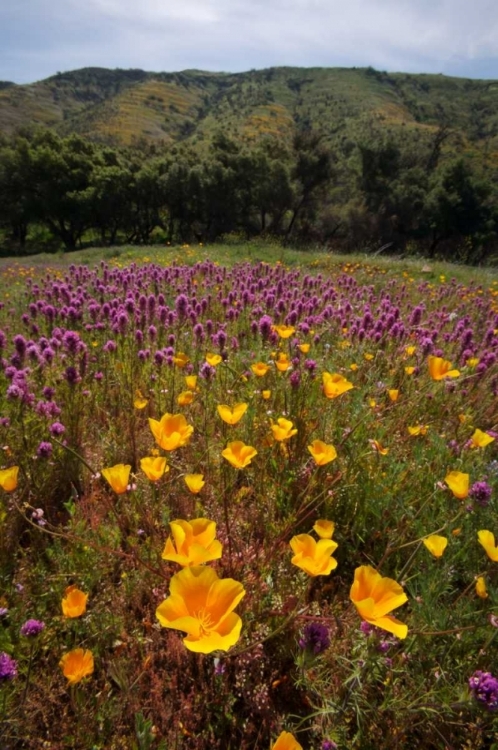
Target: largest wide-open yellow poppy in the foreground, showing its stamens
(201,605)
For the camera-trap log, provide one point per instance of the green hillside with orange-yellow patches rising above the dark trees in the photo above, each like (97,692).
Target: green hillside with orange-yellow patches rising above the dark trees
(125,107)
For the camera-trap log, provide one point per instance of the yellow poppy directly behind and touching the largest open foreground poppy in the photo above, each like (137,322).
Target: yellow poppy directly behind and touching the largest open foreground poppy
(194,542)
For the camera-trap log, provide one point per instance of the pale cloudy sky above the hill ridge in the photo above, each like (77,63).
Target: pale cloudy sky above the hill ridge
(38,38)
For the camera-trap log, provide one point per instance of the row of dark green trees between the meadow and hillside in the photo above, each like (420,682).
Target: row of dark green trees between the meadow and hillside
(65,191)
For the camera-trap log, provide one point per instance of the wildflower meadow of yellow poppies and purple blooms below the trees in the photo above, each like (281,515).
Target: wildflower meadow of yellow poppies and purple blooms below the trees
(247,505)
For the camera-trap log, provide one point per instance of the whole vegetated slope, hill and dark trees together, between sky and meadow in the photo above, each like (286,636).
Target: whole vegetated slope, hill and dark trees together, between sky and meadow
(348,157)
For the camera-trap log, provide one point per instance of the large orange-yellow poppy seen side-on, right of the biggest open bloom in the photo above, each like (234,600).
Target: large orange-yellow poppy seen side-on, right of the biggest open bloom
(374,597)
